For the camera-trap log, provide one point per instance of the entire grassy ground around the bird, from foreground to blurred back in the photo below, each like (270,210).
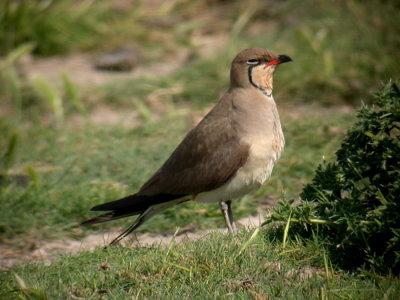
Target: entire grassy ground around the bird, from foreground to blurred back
(64,162)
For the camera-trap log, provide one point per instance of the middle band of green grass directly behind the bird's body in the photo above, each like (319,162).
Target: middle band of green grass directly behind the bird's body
(79,167)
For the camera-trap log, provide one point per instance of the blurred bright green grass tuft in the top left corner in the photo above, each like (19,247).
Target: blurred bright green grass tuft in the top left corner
(52,26)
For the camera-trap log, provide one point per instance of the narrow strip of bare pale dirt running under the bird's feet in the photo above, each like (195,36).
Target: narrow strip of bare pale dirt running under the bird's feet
(46,251)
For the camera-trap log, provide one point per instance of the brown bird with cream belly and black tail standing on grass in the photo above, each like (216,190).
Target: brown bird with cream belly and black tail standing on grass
(230,153)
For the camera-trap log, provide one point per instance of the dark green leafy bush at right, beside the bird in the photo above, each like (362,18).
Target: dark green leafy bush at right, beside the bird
(353,204)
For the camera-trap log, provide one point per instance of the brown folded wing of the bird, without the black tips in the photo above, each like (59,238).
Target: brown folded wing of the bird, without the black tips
(209,155)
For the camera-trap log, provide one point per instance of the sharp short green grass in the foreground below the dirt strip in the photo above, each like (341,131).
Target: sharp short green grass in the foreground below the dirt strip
(205,269)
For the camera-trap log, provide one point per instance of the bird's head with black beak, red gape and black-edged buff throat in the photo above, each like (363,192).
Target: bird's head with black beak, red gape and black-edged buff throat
(255,67)
